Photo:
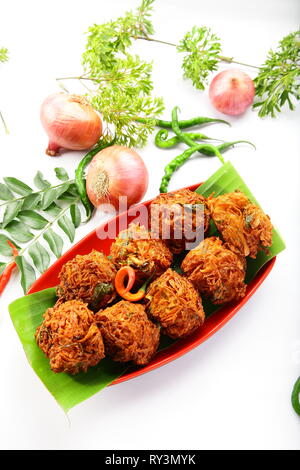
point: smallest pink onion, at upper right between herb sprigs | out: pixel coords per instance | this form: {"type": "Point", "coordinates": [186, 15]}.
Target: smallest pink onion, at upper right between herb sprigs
{"type": "Point", "coordinates": [232, 92]}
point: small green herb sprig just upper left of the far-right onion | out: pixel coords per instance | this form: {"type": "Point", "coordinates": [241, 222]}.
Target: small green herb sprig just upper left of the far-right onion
{"type": "Point", "coordinates": [201, 50]}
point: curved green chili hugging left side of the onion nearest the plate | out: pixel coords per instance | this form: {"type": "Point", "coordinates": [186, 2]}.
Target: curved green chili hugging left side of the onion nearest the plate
{"type": "Point", "coordinates": [80, 180]}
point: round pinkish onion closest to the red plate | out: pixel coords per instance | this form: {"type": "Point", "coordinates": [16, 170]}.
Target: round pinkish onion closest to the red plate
{"type": "Point", "coordinates": [116, 171]}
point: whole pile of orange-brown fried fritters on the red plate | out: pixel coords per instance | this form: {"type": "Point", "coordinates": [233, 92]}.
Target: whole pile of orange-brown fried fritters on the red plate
{"type": "Point", "coordinates": [90, 322]}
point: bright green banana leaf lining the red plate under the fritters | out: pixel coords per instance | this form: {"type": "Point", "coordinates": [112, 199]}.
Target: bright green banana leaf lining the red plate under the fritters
{"type": "Point", "coordinates": [26, 314]}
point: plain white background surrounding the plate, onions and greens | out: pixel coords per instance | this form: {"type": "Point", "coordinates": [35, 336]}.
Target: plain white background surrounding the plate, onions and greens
{"type": "Point", "coordinates": [232, 392]}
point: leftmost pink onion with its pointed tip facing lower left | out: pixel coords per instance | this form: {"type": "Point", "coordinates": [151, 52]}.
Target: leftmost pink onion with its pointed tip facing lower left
{"type": "Point", "coordinates": [70, 123]}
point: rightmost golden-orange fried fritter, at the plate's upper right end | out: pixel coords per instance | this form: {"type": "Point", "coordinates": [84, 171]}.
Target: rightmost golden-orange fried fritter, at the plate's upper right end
{"type": "Point", "coordinates": [245, 228]}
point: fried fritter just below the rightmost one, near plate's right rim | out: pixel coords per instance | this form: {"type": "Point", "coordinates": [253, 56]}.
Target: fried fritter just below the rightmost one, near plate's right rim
{"type": "Point", "coordinates": [216, 271]}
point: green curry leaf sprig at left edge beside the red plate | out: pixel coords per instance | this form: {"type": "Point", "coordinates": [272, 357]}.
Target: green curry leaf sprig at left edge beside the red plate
{"type": "Point", "coordinates": [29, 216]}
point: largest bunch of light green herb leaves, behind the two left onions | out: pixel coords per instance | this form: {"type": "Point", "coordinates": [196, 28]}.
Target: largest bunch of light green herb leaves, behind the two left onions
{"type": "Point", "coordinates": [122, 83]}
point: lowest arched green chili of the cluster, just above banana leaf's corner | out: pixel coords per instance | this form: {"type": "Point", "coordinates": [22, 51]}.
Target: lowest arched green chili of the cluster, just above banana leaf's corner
{"type": "Point", "coordinates": [175, 164]}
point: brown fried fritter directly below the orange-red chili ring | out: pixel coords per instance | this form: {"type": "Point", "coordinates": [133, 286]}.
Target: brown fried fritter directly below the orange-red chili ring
{"type": "Point", "coordinates": [127, 332]}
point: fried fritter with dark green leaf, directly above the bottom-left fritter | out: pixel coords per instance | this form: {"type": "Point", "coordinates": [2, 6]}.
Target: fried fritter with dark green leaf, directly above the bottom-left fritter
{"type": "Point", "coordinates": [89, 278]}
